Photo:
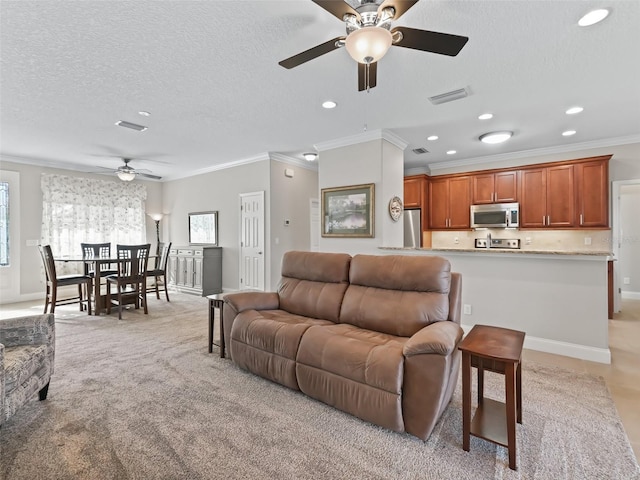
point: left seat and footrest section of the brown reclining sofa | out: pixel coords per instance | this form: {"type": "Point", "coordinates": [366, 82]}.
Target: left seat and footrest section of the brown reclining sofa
{"type": "Point", "coordinates": [266, 343]}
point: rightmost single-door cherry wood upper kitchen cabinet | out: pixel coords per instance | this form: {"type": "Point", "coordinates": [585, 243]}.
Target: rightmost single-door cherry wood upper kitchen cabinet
{"type": "Point", "coordinates": [592, 193]}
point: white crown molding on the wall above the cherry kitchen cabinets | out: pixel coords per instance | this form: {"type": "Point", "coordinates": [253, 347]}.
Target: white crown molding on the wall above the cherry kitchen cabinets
{"type": "Point", "coordinates": [557, 149]}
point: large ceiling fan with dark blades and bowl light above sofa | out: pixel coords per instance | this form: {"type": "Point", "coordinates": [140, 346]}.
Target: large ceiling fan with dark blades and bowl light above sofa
{"type": "Point", "coordinates": [369, 36]}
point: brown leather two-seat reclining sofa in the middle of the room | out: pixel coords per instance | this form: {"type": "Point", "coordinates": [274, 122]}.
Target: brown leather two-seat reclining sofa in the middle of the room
{"type": "Point", "coordinates": [374, 336]}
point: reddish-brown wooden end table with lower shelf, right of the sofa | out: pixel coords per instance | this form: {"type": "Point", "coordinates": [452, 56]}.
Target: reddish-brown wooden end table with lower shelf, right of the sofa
{"type": "Point", "coordinates": [497, 350]}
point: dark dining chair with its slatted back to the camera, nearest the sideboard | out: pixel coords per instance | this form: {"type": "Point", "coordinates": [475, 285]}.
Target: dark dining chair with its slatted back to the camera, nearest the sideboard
{"type": "Point", "coordinates": [130, 279]}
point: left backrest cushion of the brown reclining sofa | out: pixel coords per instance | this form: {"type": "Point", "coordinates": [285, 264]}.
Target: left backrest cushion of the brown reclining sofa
{"type": "Point", "coordinates": [313, 284]}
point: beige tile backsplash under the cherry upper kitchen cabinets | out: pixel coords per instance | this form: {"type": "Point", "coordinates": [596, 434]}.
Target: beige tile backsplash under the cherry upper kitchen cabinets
{"type": "Point", "coordinates": [543, 240]}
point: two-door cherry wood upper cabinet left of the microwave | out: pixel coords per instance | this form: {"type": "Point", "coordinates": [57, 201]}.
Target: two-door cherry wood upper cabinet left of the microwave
{"type": "Point", "coordinates": [449, 203]}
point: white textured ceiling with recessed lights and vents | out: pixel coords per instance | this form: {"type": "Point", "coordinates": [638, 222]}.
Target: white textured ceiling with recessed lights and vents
{"type": "Point", "coordinates": [208, 72]}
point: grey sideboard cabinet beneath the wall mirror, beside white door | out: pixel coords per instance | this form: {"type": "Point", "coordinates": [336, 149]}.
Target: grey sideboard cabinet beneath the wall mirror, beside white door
{"type": "Point", "coordinates": [196, 269]}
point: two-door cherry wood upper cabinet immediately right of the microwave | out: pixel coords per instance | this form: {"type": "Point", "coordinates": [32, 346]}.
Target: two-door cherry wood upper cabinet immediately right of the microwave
{"type": "Point", "coordinates": [547, 197]}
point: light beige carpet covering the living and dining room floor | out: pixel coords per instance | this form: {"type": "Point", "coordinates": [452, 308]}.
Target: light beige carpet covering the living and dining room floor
{"type": "Point", "coordinates": [142, 398]}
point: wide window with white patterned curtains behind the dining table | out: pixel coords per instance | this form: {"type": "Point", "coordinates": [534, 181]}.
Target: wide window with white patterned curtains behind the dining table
{"type": "Point", "coordinates": [76, 210]}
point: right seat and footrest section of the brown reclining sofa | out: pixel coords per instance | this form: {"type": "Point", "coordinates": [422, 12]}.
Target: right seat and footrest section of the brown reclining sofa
{"type": "Point", "coordinates": [356, 370]}
